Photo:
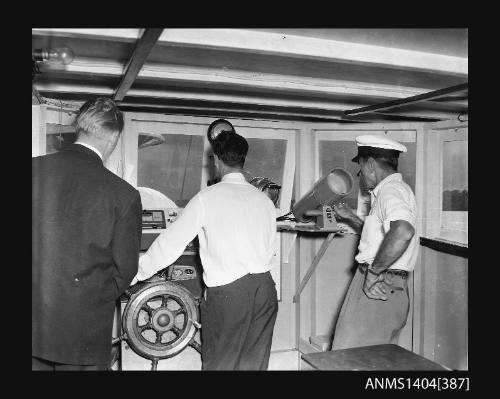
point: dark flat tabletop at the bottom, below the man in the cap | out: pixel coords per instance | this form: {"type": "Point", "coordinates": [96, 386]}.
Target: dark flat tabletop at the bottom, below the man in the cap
{"type": "Point", "coordinates": [370, 358]}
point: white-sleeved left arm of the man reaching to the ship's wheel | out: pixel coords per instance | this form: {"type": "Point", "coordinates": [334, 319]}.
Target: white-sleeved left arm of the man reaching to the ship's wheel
{"type": "Point", "coordinates": [170, 244]}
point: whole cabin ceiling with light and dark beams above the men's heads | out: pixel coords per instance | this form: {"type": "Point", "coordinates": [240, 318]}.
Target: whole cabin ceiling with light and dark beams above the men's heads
{"type": "Point", "coordinates": [317, 75]}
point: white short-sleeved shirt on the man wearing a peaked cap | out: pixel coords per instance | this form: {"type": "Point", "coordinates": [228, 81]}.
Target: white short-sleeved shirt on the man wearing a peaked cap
{"type": "Point", "coordinates": [392, 199]}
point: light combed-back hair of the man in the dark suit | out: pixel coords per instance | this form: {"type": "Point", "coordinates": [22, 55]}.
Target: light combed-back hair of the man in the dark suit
{"type": "Point", "coordinates": [99, 117]}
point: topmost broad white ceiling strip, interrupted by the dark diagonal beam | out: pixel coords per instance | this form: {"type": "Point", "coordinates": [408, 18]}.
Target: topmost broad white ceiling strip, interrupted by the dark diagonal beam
{"type": "Point", "coordinates": [276, 44]}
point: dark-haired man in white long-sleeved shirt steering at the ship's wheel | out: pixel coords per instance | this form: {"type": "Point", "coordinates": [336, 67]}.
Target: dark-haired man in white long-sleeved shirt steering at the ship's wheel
{"type": "Point", "coordinates": [236, 227]}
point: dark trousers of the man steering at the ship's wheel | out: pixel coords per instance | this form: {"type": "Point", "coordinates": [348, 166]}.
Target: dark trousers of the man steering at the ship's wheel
{"type": "Point", "coordinates": [237, 323]}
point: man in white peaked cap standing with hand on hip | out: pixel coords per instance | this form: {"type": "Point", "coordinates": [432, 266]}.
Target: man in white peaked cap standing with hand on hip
{"type": "Point", "coordinates": [376, 306]}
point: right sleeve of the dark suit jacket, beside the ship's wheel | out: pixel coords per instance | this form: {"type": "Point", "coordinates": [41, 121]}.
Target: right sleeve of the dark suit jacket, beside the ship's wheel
{"type": "Point", "coordinates": [126, 244]}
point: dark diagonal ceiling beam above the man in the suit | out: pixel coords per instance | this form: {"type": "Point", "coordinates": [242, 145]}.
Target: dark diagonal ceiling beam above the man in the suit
{"type": "Point", "coordinates": [144, 46]}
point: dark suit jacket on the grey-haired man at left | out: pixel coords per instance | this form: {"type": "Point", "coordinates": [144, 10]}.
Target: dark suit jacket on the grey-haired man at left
{"type": "Point", "coordinates": [86, 232]}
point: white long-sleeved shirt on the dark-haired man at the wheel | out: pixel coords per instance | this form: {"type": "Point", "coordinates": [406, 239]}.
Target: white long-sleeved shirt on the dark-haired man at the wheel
{"type": "Point", "coordinates": [236, 227]}
